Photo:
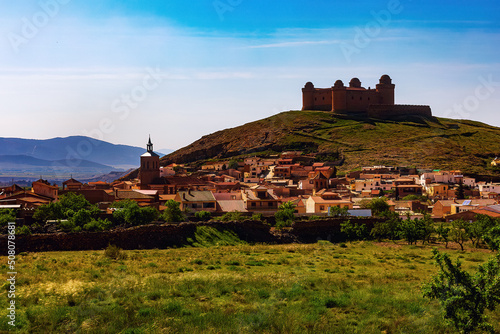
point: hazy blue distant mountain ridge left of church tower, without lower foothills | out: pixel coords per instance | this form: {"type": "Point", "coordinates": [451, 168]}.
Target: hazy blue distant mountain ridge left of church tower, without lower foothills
{"type": "Point", "coordinates": [72, 151]}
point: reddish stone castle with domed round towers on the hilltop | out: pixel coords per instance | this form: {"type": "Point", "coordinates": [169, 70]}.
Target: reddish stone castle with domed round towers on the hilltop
{"type": "Point", "coordinates": [375, 103]}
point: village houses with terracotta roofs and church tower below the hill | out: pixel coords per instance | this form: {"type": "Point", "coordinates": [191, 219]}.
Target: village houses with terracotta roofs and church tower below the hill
{"type": "Point", "coordinates": [260, 185]}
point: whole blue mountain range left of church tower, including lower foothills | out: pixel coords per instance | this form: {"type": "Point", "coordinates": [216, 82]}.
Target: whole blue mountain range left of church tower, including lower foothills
{"type": "Point", "coordinates": [59, 158]}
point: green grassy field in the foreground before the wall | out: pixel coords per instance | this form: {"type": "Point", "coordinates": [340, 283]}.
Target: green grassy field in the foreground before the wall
{"type": "Point", "coordinates": [361, 287]}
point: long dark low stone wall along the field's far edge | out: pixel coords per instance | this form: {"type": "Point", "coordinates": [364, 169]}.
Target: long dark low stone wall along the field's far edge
{"type": "Point", "coordinates": [176, 235]}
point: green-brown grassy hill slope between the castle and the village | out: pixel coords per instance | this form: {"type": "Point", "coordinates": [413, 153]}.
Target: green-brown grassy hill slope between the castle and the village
{"type": "Point", "coordinates": [411, 141]}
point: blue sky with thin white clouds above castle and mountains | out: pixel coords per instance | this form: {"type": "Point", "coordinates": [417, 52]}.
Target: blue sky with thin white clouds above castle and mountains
{"type": "Point", "coordinates": [121, 70]}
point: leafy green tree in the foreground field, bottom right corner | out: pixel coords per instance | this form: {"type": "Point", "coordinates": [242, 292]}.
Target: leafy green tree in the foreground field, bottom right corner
{"type": "Point", "coordinates": [463, 296]}
